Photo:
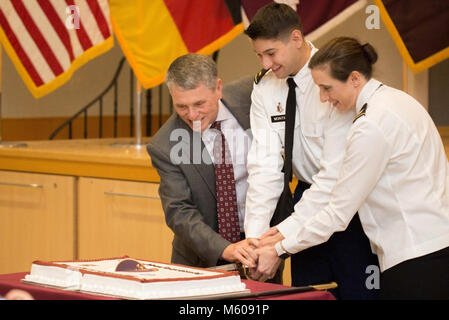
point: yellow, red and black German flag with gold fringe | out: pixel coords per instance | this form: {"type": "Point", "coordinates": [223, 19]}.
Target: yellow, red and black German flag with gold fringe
{"type": "Point", "coordinates": [154, 33]}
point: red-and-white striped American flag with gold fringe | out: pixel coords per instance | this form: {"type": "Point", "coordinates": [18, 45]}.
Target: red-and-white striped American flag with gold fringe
{"type": "Point", "coordinates": [47, 40]}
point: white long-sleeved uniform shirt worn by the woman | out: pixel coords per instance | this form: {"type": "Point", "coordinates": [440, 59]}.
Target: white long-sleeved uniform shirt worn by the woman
{"type": "Point", "coordinates": [395, 173]}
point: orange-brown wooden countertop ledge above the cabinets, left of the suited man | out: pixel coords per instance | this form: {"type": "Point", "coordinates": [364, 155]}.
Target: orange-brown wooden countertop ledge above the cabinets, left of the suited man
{"type": "Point", "coordinates": [82, 158]}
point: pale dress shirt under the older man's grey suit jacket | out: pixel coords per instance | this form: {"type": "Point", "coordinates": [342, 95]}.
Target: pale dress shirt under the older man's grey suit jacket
{"type": "Point", "coordinates": [239, 143]}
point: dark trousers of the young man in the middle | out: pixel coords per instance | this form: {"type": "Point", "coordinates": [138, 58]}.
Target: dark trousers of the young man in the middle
{"type": "Point", "coordinates": [344, 258]}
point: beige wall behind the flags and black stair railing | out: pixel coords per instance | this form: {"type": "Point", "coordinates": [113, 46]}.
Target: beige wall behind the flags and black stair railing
{"type": "Point", "coordinates": [236, 59]}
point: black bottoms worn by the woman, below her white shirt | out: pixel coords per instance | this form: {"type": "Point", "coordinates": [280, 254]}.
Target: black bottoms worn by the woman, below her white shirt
{"type": "Point", "coordinates": [425, 277]}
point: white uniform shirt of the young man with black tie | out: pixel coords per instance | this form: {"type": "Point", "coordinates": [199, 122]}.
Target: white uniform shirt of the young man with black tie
{"type": "Point", "coordinates": [318, 150]}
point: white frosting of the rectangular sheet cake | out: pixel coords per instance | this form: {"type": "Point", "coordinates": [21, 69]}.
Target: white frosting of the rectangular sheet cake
{"type": "Point", "coordinates": [189, 286]}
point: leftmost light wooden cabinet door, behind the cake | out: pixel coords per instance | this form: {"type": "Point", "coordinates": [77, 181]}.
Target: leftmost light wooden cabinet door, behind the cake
{"type": "Point", "coordinates": [37, 219]}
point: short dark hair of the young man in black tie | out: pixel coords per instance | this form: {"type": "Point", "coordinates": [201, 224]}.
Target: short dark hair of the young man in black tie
{"type": "Point", "coordinates": [273, 21]}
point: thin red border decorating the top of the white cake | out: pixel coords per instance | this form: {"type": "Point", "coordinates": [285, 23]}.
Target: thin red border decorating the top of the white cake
{"type": "Point", "coordinates": [112, 275]}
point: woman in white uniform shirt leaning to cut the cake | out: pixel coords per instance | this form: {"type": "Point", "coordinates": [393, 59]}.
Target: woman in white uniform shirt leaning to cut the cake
{"type": "Point", "coordinates": [395, 174]}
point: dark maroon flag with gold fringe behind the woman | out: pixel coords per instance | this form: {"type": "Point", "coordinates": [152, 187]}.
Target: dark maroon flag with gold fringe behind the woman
{"type": "Point", "coordinates": [419, 28]}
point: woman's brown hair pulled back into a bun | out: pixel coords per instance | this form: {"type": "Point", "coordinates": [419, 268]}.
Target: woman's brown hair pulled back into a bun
{"type": "Point", "coordinates": [344, 55]}
